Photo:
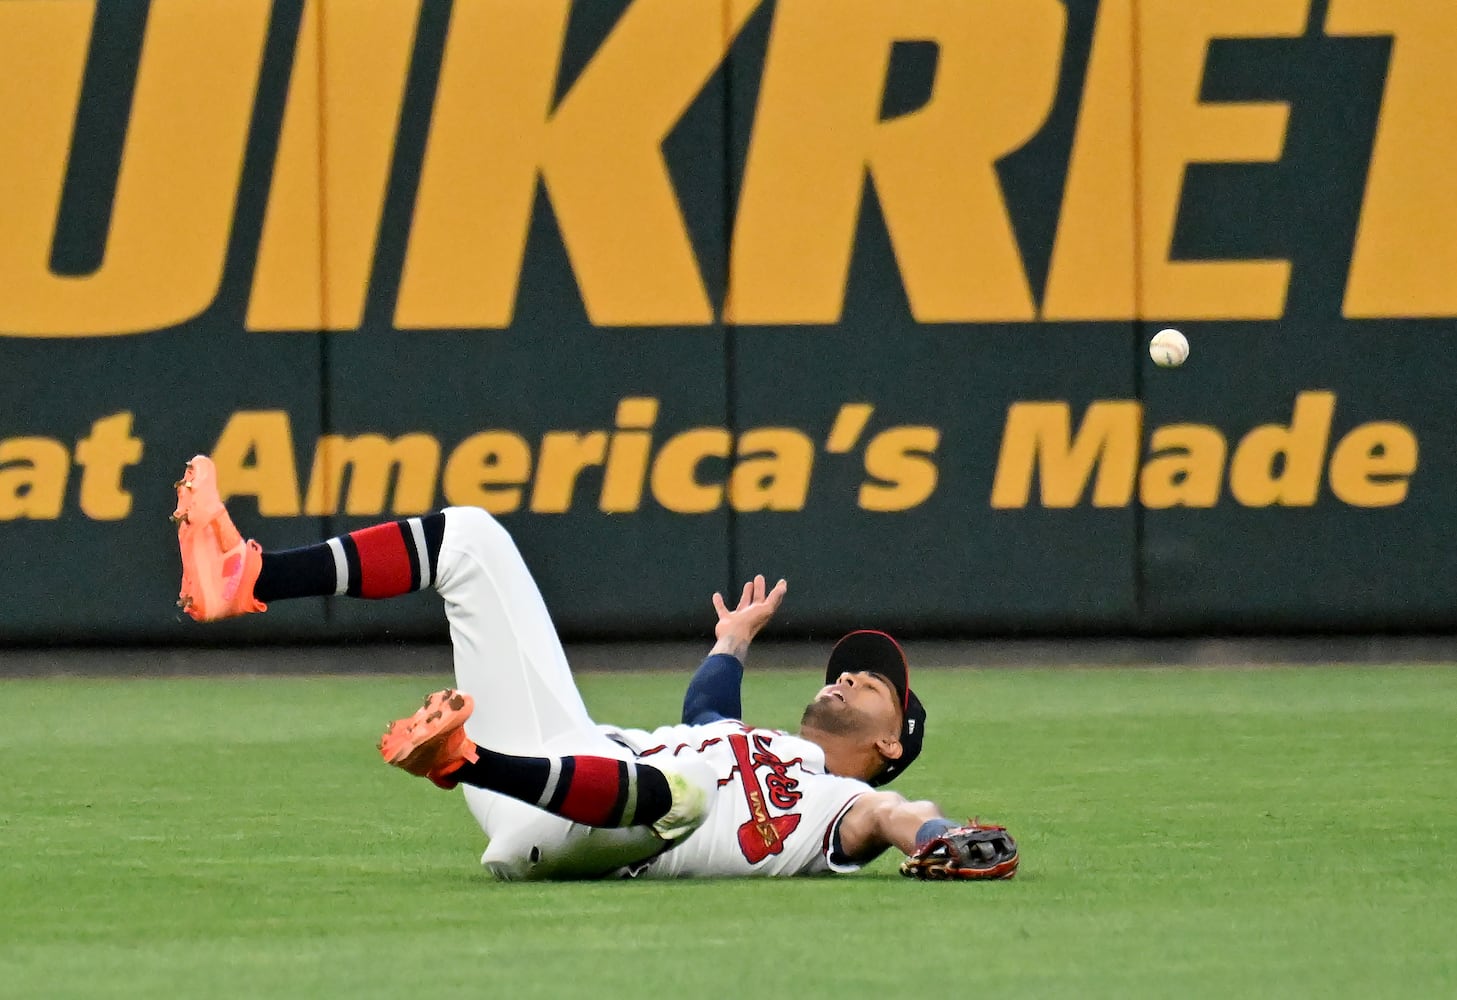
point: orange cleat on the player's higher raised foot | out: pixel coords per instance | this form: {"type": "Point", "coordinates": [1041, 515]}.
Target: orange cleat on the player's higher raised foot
{"type": "Point", "coordinates": [219, 569]}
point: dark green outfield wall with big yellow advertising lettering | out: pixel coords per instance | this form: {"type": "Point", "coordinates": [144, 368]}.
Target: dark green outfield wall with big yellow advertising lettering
{"type": "Point", "coordinates": [852, 292]}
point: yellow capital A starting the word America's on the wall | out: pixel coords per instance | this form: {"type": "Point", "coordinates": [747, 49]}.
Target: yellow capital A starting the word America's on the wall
{"type": "Point", "coordinates": [254, 458]}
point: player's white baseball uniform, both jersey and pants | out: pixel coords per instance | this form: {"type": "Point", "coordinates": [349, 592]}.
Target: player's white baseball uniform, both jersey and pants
{"type": "Point", "coordinates": [773, 808]}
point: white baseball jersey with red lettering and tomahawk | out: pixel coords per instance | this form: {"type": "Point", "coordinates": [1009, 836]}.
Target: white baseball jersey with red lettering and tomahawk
{"type": "Point", "coordinates": [773, 813]}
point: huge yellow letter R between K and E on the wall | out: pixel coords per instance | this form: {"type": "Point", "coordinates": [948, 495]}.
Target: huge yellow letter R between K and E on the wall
{"type": "Point", "coordinates": [818, 132]}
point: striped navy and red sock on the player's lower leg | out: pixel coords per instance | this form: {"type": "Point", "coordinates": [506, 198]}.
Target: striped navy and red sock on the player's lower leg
{"type": "Point", "coordinates": [591, 791]}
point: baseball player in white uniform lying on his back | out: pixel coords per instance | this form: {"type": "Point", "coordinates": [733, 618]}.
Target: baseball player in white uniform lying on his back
{"type": "Point", "coordinates": [560, 797]}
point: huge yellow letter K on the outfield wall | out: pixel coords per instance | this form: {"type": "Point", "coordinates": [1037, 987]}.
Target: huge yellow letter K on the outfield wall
{"type": "Point", "coordinates": [600, 154]}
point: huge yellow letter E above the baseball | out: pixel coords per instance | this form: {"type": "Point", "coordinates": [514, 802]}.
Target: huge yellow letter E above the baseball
{"type": "Point", "coordinates": [1093, 260]}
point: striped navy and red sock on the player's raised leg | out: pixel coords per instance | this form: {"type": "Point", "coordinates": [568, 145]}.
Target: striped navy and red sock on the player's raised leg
{"type": "Point", "coordinates": [381, 562]}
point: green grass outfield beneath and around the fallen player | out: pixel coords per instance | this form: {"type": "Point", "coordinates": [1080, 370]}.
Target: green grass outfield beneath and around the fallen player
{"type": "Point", "coordinates": [1185, 835]}
